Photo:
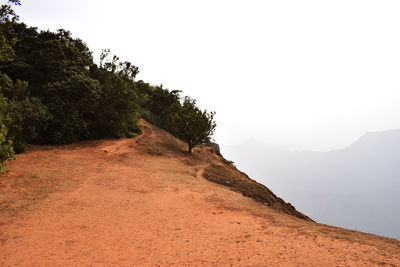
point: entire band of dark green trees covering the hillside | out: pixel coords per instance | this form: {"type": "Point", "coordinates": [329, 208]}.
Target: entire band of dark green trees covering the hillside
{"type": "Point", "coordinates": [52, 92]}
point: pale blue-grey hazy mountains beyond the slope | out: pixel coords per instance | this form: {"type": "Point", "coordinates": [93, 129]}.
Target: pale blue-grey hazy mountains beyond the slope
{"type": "Point", "coordinates": [357, 187]}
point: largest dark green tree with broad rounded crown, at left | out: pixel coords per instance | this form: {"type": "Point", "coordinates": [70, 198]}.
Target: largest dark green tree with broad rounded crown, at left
{"type": "Point", "coordinates": [57, 67]}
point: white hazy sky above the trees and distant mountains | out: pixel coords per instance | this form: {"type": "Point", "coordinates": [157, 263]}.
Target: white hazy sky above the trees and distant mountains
{"type": "Point", "coordinates": [314, 73]}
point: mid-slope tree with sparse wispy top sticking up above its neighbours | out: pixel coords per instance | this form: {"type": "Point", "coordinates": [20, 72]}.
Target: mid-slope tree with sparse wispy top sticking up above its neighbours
{"type": "Point", "coordinates": [118, 110]}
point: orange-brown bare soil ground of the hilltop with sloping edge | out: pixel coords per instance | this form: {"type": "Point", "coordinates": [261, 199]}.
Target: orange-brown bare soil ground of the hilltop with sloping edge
{"type": "Point", "coordinates": [145, 202]}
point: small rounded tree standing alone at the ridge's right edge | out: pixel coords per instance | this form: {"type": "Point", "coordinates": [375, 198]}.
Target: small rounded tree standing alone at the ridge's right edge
{"type": "Point", "coordinates": [193, 125]}
